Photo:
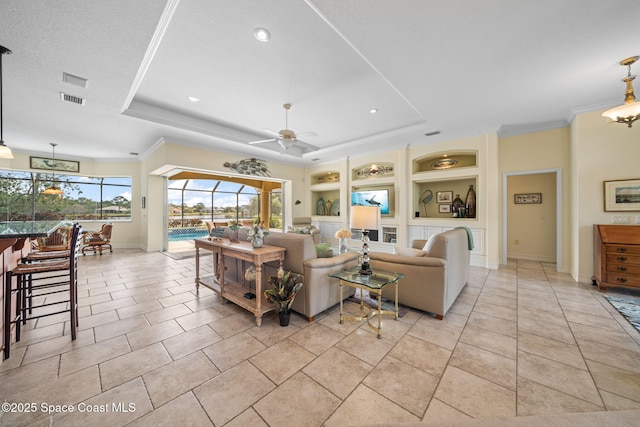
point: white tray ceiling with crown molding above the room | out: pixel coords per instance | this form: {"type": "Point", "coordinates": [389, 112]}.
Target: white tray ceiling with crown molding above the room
{"type": "Point", "coordinates": [461, 67]}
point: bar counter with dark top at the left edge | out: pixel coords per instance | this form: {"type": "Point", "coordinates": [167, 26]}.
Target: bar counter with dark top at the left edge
{"type": "Point", "coordinates": [13, 238]}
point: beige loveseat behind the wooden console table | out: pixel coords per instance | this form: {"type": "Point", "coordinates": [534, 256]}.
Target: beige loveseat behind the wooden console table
{"type": "Point", "coordinates": [319, 291]}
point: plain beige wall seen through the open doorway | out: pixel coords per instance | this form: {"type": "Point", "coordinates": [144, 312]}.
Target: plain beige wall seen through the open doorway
{"type": "Point", "coordinates": [531, 228]}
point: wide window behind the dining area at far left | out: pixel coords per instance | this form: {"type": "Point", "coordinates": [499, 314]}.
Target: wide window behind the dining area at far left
{"type": "Point", "coordinates": [84, 198]}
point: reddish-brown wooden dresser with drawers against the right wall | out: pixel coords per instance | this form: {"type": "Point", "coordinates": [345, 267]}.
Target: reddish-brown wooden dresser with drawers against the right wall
{"type": "Point", "coordinates": [616, 256]}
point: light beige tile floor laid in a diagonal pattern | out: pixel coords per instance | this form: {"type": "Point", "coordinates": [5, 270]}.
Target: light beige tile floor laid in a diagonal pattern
{"type": "Point", "coordinates": [523, 340]}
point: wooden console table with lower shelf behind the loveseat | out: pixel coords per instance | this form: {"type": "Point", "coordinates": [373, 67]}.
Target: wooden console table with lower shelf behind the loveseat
{"type": "Point", "coordinates": [233, 291]}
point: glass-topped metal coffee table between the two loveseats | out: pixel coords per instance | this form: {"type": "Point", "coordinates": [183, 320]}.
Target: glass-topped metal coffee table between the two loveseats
{"type": "Point", "coordinates": [374, 283]}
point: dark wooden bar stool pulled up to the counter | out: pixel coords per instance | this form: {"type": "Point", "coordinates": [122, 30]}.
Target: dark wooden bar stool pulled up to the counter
{"type": "Point", "coordinates": [42, 278]}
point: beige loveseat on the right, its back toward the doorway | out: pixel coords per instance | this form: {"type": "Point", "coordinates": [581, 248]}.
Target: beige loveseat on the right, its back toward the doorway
{"type": "Point", "coordinates": [435, 270]}
